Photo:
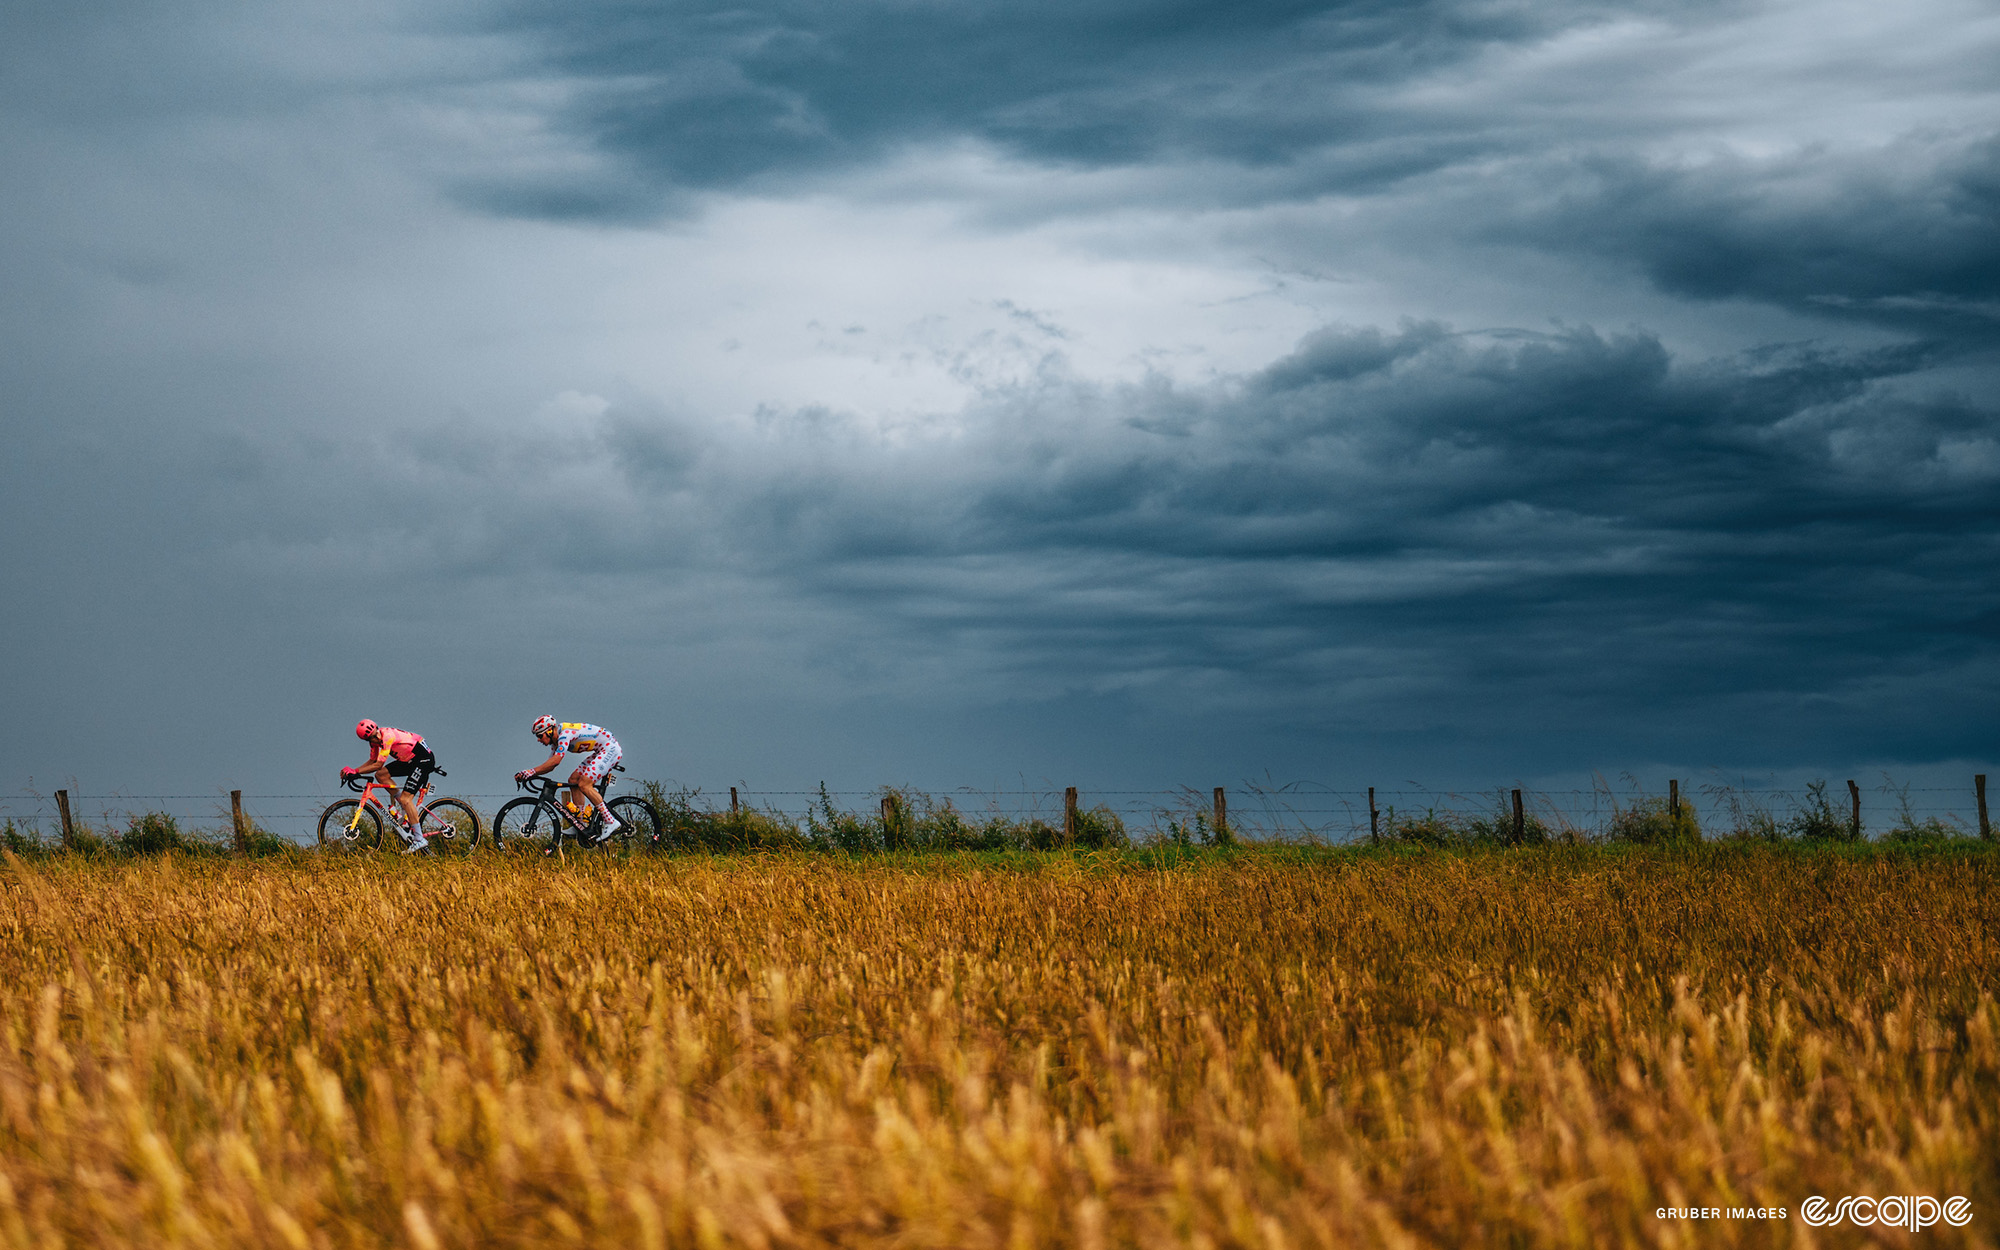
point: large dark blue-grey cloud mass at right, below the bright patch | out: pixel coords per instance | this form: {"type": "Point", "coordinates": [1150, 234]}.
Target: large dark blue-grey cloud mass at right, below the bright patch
{"type": "Point", "coordinates": [1571, 511]}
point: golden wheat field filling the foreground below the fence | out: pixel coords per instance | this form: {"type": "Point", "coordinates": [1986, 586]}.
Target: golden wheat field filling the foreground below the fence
{"type": "Point", "coordinates": [1535, 1049]}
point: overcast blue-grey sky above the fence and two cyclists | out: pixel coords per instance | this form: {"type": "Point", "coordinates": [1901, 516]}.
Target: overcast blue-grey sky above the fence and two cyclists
{"type": "Point", "coordinates": [1107, 393]}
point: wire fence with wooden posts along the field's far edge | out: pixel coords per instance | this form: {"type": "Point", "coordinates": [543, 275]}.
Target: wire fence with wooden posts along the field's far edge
{"type": "Point", "coordinates": [1255, 811]}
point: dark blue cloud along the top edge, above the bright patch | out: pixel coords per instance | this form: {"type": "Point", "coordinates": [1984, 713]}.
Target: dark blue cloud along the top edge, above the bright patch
{"type": "Point", "coordinates": [721, 95]}
